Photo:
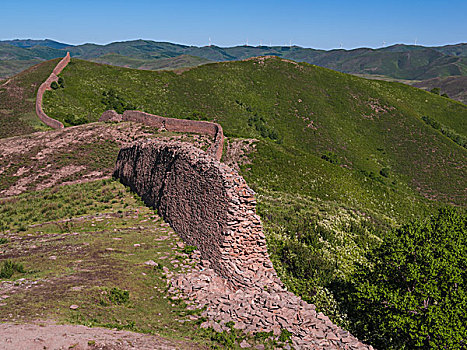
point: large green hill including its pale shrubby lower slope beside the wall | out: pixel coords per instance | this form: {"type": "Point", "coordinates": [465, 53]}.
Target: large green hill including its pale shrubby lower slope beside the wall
{"type": "Point", "coordinates": [338, 160]}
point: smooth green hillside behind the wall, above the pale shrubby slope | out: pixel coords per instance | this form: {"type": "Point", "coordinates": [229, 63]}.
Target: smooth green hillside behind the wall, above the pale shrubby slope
{"type": "Point", "coordinates": [340, 130]}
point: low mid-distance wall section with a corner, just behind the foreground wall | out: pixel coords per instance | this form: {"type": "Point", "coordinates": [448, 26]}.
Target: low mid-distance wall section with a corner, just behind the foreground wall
{"type": "Point", "coordinates": [175, 125]}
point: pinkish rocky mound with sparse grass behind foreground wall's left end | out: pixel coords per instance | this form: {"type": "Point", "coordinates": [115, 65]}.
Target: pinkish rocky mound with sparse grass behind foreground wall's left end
{"type": "Point", "coordinates": [72, 155]}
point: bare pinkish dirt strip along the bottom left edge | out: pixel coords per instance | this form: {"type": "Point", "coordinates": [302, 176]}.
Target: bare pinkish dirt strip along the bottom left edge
{"type": "Point", "coordinates": [52, 336]}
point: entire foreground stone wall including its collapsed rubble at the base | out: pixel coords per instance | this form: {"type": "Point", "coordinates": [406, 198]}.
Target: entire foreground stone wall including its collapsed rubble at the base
{"type": "Point", "coordinates": [211, 207]}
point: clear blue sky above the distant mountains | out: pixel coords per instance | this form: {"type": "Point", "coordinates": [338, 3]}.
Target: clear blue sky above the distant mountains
{"type": "Point", "coordinates": [325, 24]}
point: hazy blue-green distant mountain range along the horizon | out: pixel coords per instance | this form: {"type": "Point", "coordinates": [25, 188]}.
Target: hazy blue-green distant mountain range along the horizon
{"type": "Point", "coordinates": [403, 62]}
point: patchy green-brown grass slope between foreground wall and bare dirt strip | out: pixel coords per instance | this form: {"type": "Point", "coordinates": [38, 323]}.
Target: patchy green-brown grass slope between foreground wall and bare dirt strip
{"type": "Point", "coordinates": [90, 251]}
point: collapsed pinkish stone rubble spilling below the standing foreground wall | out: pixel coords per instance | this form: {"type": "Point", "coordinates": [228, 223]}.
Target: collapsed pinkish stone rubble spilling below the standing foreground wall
{"type": "Point", "coordinates": [258, 310]}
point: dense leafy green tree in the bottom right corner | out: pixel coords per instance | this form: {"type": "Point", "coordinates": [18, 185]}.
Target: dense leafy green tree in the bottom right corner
{"type": "Point", "coordinates": [415, 297]}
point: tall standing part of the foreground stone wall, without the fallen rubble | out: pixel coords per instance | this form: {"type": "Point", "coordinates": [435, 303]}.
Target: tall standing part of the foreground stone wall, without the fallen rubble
{"type": "Point", "coordinates": [208, 204]}
